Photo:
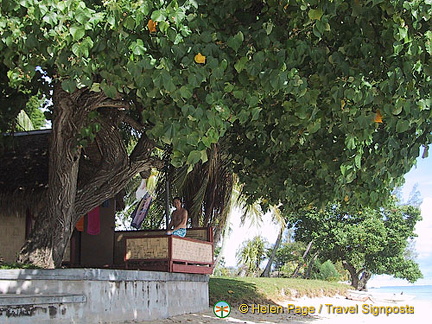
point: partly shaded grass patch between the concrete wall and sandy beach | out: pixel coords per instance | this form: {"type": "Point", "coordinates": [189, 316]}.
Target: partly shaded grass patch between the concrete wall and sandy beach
{"type": "Point", "coordinates": [269, 290]}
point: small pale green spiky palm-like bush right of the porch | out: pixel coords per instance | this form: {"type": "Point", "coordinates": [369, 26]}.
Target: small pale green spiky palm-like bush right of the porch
{"type": "Point", "coordinates": [250, 255]}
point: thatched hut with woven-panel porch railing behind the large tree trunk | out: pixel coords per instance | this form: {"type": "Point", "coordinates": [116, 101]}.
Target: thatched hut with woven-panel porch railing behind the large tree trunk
{"type": "Point", "coordinates": [23, 189]}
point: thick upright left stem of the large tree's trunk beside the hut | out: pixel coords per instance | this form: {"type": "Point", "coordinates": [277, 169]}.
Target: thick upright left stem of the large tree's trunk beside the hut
{"type": "Point", "coordinates": [47, 242]}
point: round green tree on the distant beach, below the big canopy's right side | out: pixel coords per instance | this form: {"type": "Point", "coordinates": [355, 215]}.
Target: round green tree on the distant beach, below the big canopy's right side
{"type": "Point", "coordinates": [369, 241]}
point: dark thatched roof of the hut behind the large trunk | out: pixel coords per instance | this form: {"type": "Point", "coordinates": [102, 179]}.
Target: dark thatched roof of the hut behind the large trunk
{"type": "Point", "coordinates": [24, 170]}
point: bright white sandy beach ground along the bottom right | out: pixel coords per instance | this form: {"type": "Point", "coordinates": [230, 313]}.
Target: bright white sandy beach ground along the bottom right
{"type": "Point", "coordinates": [330, 313]}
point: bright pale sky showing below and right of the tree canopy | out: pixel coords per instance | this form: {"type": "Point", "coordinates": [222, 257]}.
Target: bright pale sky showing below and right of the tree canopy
{"type": "Point", "coordinates": [421, 174]}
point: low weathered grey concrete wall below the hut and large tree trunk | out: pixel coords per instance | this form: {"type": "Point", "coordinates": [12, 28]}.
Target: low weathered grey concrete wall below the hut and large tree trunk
{"type": "Point", "coordinates": [98, 295]}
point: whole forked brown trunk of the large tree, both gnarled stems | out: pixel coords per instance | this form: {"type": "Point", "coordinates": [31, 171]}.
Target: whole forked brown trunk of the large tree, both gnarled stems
{"type": "Point", "coordinates": [68, 198]}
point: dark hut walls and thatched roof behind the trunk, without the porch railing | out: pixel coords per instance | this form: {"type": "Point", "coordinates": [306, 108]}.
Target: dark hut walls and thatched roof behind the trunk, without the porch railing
{"type": "Point", "coordinates": [23, 189]}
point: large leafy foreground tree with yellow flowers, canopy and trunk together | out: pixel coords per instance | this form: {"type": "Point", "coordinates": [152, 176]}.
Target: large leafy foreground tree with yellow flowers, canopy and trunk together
{"type": "Point", "coordinates": [317, 99]}
